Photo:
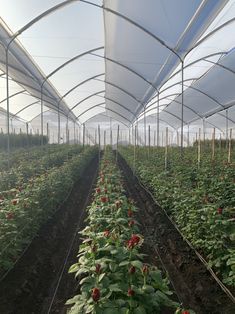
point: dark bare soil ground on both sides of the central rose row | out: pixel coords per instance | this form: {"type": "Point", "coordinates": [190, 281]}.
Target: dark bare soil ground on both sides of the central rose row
{"type": "Point", "coordinates": [31, 286]}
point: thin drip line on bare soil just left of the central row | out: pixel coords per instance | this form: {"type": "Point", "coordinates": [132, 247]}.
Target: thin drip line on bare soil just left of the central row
{"type": "Point", "coordinates": [63, 266]}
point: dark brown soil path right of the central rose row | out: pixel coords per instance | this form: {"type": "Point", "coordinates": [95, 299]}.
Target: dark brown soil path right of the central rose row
{"type": "Point", "coordinates": [193, 284]}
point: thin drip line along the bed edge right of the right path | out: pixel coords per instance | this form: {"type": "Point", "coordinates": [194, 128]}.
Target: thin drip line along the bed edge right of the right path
{"type": "Point", "coordinates": [219, 282]}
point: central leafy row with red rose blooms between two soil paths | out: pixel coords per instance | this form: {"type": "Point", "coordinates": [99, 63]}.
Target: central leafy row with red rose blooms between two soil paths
{"type": "Point", "coordinates": [113, 274]}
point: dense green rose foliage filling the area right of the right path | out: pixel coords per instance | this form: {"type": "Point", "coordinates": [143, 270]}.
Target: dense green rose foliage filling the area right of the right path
{"type": "Point", "coordinates": [201, 200]}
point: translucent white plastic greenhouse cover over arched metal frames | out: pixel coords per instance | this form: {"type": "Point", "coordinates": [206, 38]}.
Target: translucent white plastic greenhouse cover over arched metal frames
{"type": "Point", "coordinates": [95, 61]}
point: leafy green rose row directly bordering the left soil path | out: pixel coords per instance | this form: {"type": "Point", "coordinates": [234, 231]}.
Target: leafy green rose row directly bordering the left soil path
{"type": "Point", "coordinates": [24, 210]}
